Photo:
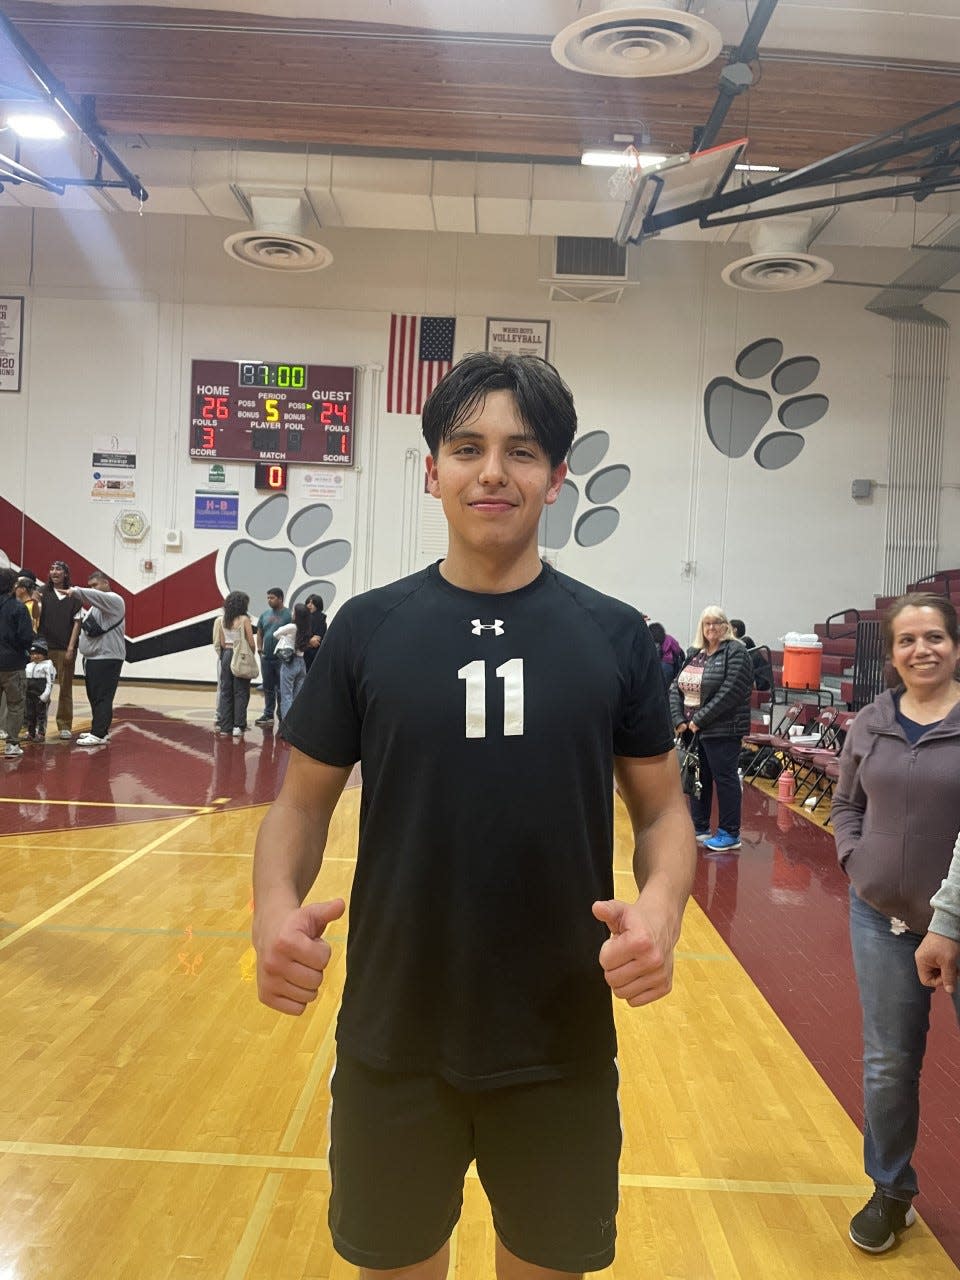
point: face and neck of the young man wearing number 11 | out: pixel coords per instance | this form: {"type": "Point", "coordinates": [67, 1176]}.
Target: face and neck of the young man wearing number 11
{"type": "Point", "coordinates": [493, 481]}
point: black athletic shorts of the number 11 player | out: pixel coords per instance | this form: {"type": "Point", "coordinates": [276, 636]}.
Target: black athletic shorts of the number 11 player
{"type": "Point", "coordinates": [547, 1156]}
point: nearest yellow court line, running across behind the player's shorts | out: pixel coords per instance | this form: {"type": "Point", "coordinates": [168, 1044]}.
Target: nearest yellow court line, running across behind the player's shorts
{"type": "Point", "coordinates": [285, 1164]}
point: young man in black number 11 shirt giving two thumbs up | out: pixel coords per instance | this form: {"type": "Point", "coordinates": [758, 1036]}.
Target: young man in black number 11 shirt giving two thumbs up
{"type": "Point", "coordinates": [490, 701]}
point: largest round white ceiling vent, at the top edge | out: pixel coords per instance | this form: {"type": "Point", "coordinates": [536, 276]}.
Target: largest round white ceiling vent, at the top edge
{"type": "Point", "coordinates": [638, 40]}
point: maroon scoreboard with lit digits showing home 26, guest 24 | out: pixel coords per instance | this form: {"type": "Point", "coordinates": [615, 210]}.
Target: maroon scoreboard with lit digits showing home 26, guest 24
{"type": "Point", "coordinates": [266, 412]}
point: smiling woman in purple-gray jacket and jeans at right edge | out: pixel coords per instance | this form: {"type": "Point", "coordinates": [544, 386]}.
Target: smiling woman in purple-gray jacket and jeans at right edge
{"type": "Point", "coordinates": [897, 813]}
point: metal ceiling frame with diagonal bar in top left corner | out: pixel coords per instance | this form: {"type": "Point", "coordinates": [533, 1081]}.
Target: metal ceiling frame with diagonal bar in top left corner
{"type": "Point", "coordinates": [81, 116]}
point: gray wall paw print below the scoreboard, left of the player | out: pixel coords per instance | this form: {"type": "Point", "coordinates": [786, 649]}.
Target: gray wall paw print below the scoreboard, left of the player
{"type": "Point", "coordinates": [255, 566]}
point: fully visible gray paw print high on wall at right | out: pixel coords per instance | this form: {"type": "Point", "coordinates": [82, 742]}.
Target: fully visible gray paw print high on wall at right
{"type": "Point", "coordinates": [735, 414]}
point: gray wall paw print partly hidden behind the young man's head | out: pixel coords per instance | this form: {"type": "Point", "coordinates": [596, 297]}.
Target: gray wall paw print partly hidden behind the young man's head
{"type": "Point", "coordinates": [602, 486]}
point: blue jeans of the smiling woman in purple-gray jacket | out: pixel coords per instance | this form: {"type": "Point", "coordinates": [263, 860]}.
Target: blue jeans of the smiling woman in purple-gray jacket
{"type": "Point", "coordinates": [897, 1014]}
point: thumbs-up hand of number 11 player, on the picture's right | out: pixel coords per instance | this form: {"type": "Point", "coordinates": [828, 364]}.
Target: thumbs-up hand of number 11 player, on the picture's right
{"type": "Point", "coordinates": [638, 958]}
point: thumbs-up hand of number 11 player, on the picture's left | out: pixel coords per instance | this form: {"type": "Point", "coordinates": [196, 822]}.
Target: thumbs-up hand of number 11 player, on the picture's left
{"type": "Point", "coordinates": [294, 954]}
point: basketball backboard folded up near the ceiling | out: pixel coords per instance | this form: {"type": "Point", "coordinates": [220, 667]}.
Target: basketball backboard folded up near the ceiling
{"type": "Point", "coordinates": [671, 184]}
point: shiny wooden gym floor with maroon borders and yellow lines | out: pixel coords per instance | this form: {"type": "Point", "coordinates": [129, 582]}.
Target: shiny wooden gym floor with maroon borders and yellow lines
{"type": "Point", "coordinates": [159, 1123]}
